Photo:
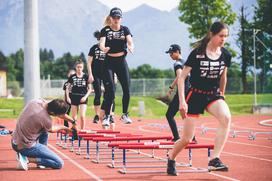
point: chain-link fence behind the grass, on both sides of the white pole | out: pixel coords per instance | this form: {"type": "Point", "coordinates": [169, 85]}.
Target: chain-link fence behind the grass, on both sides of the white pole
{"type": "Point", "coordinates": [141, 87]}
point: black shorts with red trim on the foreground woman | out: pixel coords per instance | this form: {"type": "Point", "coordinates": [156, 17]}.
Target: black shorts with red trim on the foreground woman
{"type": "Point", "coordinates": [198, 100]}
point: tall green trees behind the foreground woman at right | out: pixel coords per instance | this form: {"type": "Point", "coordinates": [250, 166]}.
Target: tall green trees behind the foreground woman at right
{"type": "Point", "coordinates": [200, 14]}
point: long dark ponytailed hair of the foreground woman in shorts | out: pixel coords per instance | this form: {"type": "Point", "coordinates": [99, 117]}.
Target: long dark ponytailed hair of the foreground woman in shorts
{"type": "Point", "coordinates": [215, 28]}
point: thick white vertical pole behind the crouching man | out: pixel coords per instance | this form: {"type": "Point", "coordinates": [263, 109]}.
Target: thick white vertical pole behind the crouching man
{"type": "Point", "coordinates": [31, 51]}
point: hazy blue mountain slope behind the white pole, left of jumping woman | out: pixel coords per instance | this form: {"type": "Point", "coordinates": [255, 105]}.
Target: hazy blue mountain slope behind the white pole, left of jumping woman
{"type": "Point", "coordinates": [64, 25]}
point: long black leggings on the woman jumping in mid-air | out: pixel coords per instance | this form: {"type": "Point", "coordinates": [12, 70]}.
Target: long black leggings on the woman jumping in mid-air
{"type": "Point", "coordinates": [119, 66]}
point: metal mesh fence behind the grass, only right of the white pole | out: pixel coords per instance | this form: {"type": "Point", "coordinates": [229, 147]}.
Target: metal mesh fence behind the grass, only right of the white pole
{"type": "Point", "coordinates": [149, 87]}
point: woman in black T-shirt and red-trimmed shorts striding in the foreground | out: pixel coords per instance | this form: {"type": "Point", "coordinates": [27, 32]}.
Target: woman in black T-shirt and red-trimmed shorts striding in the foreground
{"type": "Point", "coordinates": [207, 64]}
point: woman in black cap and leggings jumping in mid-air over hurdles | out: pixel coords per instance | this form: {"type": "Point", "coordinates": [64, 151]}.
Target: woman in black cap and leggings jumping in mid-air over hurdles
{"type": "Point", "coordinates": [114, 41]}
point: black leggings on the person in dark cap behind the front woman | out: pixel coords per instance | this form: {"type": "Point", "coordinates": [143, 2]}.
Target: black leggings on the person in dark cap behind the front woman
{"type": "Point", "coordinates": [170, 114]}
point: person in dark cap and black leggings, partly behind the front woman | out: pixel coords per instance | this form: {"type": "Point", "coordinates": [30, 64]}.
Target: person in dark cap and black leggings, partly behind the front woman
{"type": "Point", "coordinates": [175, 53]}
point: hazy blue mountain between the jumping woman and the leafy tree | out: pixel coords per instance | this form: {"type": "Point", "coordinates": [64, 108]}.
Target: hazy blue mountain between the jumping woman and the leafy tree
{"type": "Point", "coordinates": [153, 32]}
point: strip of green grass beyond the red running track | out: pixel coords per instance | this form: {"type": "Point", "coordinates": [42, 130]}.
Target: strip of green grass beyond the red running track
{"type": "Point", "coordinates": [238, 103]}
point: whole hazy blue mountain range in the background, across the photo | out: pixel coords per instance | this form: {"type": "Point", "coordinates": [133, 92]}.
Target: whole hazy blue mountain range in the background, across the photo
{"type": "Point", "coordinates": [67, 25]}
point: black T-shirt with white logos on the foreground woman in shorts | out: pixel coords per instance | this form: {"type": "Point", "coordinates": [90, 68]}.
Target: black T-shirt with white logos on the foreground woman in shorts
{"type": "Point", "coordinates": [206, 73]}
